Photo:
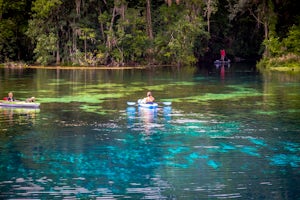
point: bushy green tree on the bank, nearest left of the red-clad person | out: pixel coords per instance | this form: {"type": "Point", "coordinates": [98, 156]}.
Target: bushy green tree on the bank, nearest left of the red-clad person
{"type": "Point", "coordinates": [175, 41]}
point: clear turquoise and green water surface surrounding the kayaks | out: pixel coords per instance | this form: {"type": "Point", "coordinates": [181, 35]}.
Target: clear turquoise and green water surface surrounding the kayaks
{"type": "Point", "coordinates": [229, 133]}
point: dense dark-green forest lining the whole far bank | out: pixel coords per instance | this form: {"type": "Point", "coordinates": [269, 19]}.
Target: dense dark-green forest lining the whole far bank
{"type": "Point", "coordinates": [141, 32]}
